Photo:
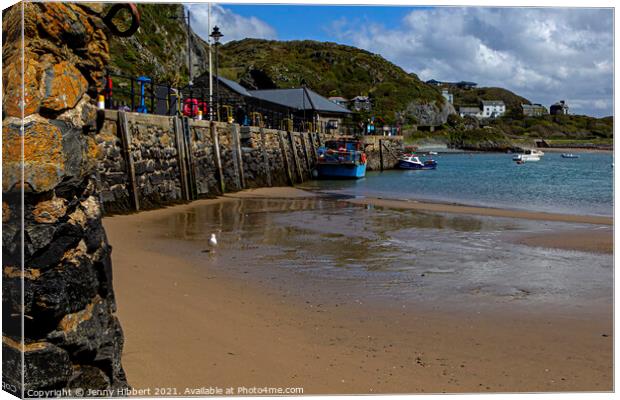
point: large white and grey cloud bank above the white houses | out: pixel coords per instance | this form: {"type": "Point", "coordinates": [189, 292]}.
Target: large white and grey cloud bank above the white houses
{"type": "Point", "coordinates": [543, 54]}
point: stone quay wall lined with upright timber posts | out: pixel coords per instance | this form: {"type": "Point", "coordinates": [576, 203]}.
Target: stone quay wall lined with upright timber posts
{"type": "Point", "coordinates": [152, 160]}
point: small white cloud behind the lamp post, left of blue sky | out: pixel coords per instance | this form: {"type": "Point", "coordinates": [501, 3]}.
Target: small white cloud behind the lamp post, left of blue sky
{"type": "Point", "coordinates": [233, 26]}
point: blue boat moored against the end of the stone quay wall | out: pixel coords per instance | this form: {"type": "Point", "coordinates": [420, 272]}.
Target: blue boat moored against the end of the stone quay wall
{"type": "Point", "coordinates": [343, 158]}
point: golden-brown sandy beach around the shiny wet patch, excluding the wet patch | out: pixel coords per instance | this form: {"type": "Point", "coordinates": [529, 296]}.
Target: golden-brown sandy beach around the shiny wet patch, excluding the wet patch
{"type": "Point", "coordinates": [192, 322]}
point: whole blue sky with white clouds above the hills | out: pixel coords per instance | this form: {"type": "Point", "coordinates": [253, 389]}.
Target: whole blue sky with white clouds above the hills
{"type": "Point", "coordinates": [543, 54]}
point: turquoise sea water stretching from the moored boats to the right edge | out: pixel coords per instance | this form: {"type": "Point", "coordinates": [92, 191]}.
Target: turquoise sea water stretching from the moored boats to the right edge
{"type": "Point", "coordinates": [554, 184]}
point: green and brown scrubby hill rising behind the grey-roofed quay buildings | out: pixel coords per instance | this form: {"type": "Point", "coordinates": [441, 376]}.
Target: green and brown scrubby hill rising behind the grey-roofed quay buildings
{"type": "Point", "coordinates": [330, 69]}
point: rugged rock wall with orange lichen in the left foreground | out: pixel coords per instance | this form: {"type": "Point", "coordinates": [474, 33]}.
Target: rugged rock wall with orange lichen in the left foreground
{"type": "Point", "coordinates": [72, 338]}
